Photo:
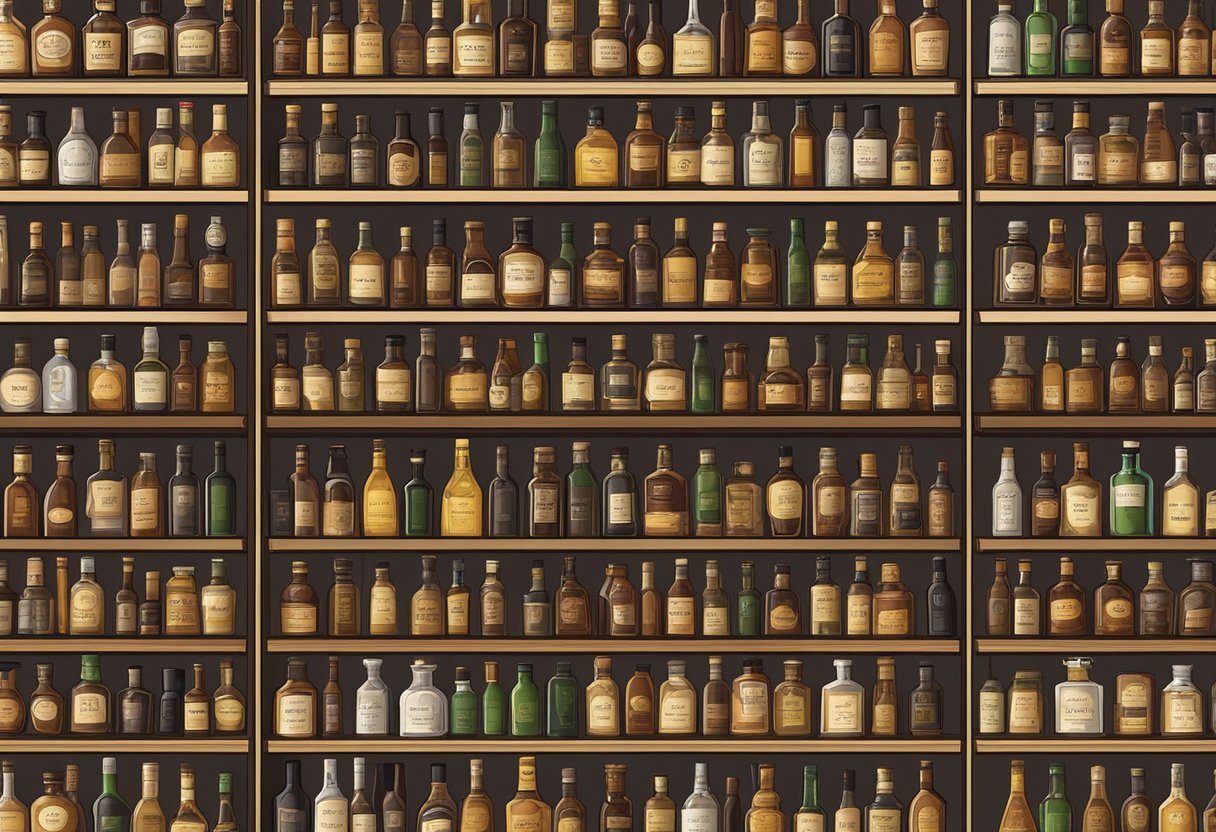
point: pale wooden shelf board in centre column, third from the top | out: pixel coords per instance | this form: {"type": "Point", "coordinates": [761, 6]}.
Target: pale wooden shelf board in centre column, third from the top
{"type": "Point", "coordinates": [616, 317]}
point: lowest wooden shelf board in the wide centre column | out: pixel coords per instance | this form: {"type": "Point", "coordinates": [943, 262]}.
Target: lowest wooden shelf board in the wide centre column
{"type": "Point", "coordinates": [595, 746]}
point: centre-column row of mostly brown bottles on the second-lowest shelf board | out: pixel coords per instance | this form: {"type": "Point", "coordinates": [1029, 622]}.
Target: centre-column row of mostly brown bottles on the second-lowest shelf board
{"type": "Point", "coordinates": [620, 610]}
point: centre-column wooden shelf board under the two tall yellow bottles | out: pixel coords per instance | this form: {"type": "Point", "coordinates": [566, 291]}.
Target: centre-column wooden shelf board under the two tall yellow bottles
{"type": "Point", "coordinates": [639, 546]}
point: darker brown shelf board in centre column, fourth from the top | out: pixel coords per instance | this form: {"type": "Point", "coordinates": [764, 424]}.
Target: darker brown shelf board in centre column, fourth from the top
{"type": "Point", "coordinates": [649, 424]}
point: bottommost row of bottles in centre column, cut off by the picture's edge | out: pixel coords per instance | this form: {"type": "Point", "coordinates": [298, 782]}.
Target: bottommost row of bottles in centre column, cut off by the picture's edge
{"type": "Point", "coordinates": [384, 807]}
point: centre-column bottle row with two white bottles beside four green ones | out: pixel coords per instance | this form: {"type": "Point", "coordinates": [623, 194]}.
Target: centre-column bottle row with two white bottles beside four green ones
{"type": "Point", "coordinates": [750, 706]}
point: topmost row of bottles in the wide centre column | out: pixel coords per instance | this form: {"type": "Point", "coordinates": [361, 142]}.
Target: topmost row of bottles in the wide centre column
{"type": "Point", "coordinates": [622, 44]}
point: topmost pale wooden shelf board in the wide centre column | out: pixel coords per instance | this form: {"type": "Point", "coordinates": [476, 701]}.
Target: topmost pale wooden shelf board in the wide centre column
{"type": "Point", "coordinates": [599, 87]}
